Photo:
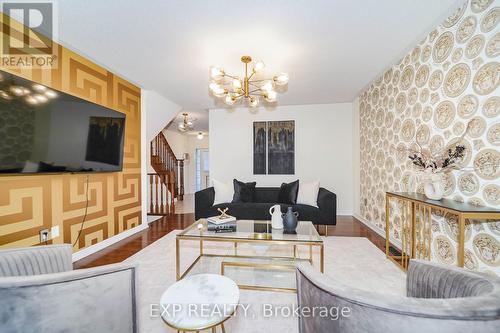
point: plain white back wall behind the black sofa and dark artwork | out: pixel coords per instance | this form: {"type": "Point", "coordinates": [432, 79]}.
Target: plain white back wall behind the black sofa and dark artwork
{"type": "Point", "coordinates": [323, 146]}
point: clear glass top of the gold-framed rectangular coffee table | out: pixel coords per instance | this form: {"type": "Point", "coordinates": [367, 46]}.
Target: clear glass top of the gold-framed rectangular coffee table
{"type": "Point", "coordinates": [256, 230]}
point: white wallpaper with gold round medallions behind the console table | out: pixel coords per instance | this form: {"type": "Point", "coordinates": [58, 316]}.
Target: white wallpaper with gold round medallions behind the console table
{"type": "Point", "coordinates": [448, 79]}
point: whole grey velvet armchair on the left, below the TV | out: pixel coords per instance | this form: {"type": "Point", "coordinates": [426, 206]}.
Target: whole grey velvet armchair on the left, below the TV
{"type": "Point", "coordinates": [40, 292]}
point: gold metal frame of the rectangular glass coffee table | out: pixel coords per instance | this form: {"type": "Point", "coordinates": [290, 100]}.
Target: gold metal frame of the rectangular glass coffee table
{"type": "Point", "coordinates": [258, 238]}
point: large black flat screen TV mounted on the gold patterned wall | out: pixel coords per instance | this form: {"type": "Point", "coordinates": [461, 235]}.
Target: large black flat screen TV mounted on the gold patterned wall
{"type": "Point", "coordinates": [47, 131]}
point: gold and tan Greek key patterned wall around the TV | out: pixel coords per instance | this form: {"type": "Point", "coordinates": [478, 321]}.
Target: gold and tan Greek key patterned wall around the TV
{"type": "Point", "coordinates": [30, 203]}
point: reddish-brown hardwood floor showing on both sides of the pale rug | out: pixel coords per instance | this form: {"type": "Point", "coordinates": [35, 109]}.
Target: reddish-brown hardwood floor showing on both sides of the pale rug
{"type": "Point", "coordinates": [346, 226]}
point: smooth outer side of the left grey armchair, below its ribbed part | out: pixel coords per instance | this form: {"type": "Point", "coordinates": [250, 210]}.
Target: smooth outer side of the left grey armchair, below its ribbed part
{"type": "Point", "coordinates": [99, 299]}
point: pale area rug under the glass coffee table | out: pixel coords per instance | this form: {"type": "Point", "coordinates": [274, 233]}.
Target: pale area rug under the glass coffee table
{"type": "Point", "coordinates": [354, 261]}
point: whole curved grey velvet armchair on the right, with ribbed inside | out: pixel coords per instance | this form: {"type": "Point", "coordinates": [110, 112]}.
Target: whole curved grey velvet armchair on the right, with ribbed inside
{"type": "Point", "coordinates": [439, 299]}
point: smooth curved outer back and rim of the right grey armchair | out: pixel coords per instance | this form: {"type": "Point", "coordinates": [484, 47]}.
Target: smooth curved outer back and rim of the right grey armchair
{"type": "Point", "coordinates": [374, 311]}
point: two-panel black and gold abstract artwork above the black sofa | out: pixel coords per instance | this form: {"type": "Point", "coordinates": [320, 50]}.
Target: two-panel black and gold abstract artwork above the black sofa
{"type": "Point", "coordinates": [274, 147]}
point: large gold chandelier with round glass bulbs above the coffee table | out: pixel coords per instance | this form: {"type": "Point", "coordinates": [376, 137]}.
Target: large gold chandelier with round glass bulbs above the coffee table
{"type": "Point", "coordinates": [233, 89]}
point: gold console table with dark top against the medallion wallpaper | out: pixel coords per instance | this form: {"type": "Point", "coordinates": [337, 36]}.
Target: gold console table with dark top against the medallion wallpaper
{"type": "Point", "coordinates": [416, 224]}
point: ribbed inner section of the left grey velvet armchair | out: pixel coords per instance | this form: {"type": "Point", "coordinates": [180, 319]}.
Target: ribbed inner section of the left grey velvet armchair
{"type": "Point", "coordinates": [36, 260]}
